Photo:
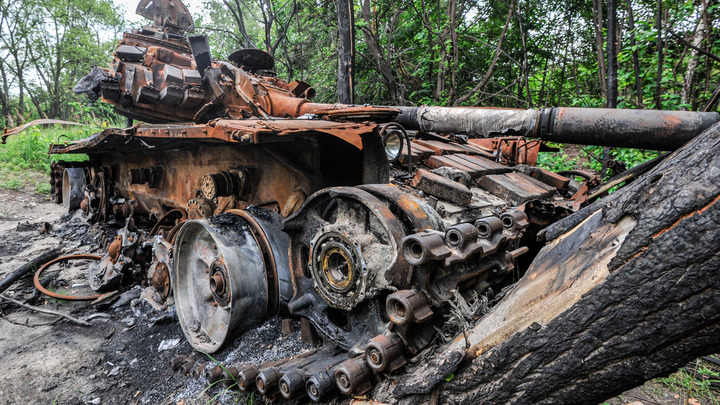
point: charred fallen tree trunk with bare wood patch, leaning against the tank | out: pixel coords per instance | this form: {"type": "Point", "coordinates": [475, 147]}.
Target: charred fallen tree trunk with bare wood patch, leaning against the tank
{"type": "Point", "coordinates": [629, 291]}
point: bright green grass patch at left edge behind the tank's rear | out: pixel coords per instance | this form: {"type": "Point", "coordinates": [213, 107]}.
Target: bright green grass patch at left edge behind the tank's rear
{"type": "Point", "coordinates": [25, 162]}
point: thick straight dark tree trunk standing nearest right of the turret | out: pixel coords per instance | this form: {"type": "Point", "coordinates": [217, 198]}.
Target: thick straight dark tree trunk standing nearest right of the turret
{"type": "Point", "coordinates": [346, 51]}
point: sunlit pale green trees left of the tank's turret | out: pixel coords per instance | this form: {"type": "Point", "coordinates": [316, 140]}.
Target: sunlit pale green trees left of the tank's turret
{"type": "Point", "coordinates": [46, 46]}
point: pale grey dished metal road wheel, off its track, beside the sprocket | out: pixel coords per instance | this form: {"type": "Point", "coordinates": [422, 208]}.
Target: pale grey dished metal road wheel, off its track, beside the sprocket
{"type": "Point", "coordinates": [225, 281]}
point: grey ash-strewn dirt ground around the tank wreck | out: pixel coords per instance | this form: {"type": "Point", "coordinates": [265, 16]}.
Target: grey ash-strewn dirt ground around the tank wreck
{"type": "Point", "coordinates": [124, 357]}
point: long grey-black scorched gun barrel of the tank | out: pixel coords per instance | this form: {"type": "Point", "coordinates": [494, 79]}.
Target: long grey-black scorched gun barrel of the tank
{"type": "Point", "coordinates": [642, 129]}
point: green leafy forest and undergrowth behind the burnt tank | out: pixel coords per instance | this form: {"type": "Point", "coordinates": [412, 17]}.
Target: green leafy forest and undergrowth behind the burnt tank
{"type": "Point", "coordinates": [490, 53]}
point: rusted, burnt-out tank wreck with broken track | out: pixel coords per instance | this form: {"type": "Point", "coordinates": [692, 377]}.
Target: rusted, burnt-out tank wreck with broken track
{"type": "Point", "coordinates": [384, 229]}
